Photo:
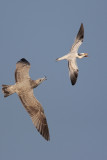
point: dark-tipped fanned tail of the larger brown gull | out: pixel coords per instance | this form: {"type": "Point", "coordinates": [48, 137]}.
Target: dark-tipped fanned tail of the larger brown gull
{"type": "Point", "coordinates": [8, 90]}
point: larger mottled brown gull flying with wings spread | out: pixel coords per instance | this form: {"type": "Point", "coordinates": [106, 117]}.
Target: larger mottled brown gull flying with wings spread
{"type": "Point", "coordinates": [24, 88]}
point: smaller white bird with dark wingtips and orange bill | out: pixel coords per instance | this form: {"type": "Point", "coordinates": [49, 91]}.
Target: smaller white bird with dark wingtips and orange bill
{"type": "Point", "coordinates": [73, 54]}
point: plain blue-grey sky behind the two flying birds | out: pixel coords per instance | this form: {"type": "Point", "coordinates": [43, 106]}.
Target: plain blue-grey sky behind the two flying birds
{"type": "Point", "coordinates": [42, 31]}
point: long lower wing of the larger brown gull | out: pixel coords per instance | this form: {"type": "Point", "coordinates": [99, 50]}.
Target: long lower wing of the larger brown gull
{"type": "Point", "coordinates": [36, 112]}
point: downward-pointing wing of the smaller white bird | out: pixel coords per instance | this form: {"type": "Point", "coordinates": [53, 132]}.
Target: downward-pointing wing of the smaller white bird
{"type": "Point", "coordinates": [73, 71]}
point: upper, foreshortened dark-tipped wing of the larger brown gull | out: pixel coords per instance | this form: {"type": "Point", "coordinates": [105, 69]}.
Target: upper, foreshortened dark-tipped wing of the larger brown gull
{"type": "Point", "coordinates": [22, 70]}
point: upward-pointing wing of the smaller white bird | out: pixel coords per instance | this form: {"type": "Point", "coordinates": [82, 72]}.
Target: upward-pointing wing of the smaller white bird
{"type": "Point", "coordinates": [78, 41]}
